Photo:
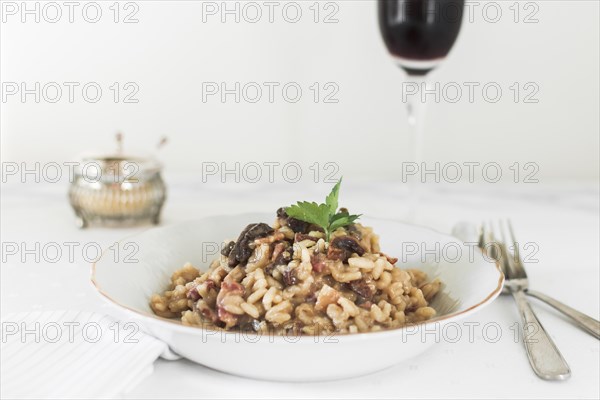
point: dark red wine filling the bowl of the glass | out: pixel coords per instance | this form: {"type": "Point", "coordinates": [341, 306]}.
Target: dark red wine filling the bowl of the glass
{"type": "Point", "coordinates": [420, 33]}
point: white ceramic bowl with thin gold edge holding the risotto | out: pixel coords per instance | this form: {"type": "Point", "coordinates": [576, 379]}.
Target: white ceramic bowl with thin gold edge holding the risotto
{"type": "Point", "coordinates": [469, 284]}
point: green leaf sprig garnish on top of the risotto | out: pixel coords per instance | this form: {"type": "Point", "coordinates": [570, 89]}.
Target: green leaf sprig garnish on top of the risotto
{"type": "Point", "coordinates": [324, 215]}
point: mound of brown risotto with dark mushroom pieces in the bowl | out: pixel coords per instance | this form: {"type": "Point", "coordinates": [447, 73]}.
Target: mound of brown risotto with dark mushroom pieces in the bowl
{"type": "Point", "coordinates": [295, 278]}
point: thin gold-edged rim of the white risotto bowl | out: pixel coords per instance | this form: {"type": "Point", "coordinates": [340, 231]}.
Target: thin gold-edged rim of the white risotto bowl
{"type": "Point", "coordinates": [177, 325]}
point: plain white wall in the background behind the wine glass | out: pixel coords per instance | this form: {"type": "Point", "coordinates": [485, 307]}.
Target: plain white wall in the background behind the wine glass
{"type": "Point", "coordinates": [171, 51]}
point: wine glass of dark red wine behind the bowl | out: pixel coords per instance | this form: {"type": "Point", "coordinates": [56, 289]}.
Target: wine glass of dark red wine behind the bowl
{"type": "Point", "coordinates": [419, 34]}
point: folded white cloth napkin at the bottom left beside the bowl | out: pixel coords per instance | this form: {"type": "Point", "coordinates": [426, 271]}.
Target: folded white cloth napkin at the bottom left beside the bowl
{"type": "Point", "coordinates": [72, 354]}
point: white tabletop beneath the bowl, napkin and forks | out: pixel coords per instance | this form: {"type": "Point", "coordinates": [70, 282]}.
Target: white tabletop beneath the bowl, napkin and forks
{"type": "Point", "coordinates": [562, 219]}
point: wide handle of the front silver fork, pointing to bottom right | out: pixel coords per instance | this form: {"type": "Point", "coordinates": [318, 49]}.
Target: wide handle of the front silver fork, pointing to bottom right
{"type": "Point", "coordinates": [544, 357]}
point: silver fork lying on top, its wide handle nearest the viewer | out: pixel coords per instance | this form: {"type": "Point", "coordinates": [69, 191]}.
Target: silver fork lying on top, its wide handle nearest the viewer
{"type": "Point", "coordinates": [544, 356]}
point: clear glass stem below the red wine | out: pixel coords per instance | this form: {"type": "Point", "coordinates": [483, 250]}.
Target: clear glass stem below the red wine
{"type": "Point", "coordinates": [415, 107]}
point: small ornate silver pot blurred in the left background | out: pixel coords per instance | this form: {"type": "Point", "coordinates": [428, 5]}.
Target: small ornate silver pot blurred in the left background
{"type": "Point", "coordinates": [117, 191]}
